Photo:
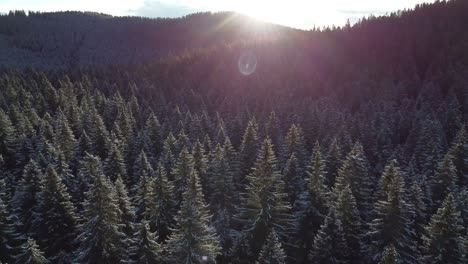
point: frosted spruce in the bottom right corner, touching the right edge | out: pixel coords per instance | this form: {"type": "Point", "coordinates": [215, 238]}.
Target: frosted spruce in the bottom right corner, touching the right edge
{"type": "Point", "coordinates": [443, 241]}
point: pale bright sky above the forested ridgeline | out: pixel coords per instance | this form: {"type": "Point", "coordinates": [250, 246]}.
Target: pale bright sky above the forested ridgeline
{"type": "Point", "coordinates": [303, 14]}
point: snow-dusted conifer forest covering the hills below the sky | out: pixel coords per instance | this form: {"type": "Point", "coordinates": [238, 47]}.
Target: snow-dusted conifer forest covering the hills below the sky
{"type": "Point", "coordinates": [344, 145]}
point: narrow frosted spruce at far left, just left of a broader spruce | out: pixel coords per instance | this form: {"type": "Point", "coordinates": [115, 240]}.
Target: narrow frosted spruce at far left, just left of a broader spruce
{"type": "Point", "coordinates": [24, 198]}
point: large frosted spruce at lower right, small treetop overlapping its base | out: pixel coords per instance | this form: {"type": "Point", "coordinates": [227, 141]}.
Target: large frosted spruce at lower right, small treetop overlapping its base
{"type": "Point", "coordinates": [392, 223]}
